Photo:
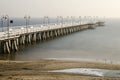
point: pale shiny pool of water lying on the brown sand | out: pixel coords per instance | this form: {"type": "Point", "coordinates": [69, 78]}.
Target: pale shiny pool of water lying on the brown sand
{"type": "Point", "coordinates": [90, 71]}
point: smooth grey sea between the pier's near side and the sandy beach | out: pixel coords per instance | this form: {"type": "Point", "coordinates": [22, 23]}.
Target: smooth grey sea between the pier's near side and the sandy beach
{"type": "Point", "coordinates": [100, 44]}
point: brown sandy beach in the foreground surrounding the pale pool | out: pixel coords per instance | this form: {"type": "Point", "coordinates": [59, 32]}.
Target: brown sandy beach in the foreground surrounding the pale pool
{"type": "Point", "coordinates": [29, 70]}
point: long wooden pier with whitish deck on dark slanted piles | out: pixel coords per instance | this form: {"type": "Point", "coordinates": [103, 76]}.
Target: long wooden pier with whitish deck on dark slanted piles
{"type": "Point", "coordinates": [23, 36]}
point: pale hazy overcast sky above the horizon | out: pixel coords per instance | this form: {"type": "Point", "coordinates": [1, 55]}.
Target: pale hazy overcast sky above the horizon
{"type": "Point", "coordinates": [39, 8]}
